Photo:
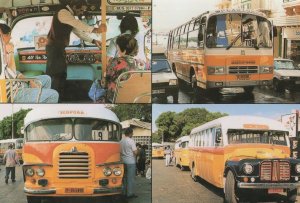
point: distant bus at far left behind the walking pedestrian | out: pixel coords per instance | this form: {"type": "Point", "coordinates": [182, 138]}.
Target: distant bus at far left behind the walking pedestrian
{"type": "Point", "coordinates": [18, 146]}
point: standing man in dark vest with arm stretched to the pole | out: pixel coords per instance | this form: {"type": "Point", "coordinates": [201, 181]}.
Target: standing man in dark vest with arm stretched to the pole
{"type": "Point", "coordinates": [63, 23]}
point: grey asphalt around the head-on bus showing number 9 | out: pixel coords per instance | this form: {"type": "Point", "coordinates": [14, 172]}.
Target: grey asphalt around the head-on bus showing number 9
{"type": "Point", "coordinates": [13, 192]}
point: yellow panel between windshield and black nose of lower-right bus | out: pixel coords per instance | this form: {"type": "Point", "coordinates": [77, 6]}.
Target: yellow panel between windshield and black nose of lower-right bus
{"type": "Point", "coordinates": [236, 153]}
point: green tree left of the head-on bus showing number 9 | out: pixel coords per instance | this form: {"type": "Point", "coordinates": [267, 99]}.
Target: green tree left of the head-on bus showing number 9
{"type": "Point", "coordinates": [18, 122]}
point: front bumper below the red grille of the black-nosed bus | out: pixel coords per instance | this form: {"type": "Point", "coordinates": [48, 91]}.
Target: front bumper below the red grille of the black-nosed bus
{"type": "Point", "coordinates": [269, 185]}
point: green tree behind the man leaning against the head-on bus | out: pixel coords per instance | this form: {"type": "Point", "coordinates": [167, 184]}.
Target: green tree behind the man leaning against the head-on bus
{"type": "Point", "coordinates": [129, 111]}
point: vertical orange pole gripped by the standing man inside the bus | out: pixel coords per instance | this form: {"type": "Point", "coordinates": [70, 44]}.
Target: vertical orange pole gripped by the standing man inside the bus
{"type": "Point", "coordinates": [103, 43]}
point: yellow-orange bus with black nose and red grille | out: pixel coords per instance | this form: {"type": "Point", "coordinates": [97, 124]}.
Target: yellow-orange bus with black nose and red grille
{"type": "Point", "coordinates": [243, 154]}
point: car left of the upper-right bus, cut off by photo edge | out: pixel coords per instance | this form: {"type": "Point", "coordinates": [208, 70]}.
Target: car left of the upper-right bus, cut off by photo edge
{"type": "Point", "coordinates": [164, 81]}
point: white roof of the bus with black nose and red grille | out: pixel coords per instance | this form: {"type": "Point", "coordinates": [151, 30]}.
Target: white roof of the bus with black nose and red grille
{"type": "Point", "coordinates": [243, 122]}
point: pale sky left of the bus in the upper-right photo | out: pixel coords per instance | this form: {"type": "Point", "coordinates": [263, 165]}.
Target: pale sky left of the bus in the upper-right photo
{"type": "Point", "coordinates": [168, 14]}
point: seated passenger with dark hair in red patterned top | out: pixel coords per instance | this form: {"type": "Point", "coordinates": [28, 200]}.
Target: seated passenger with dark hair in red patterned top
{"type": "Point", "coordinates": [127, 48]}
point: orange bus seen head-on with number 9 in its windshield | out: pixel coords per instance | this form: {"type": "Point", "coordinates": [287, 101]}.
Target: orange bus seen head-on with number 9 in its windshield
{"type": "Point", "coordinates": [72, 150]}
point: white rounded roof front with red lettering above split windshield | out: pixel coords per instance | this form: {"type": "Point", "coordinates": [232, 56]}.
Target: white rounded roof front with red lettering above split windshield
{"type": "Point", "coordinates": [70, 110]}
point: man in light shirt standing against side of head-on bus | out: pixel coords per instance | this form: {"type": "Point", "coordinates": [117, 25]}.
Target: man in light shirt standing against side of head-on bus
{"type": "Point", "coordinates": [128, 155]}
